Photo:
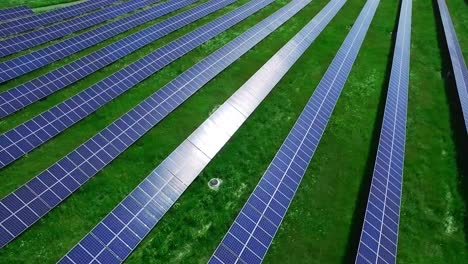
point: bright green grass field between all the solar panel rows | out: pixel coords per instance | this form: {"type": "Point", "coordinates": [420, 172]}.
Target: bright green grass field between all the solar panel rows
{"type": "Point", "coordinates": [324, 221]}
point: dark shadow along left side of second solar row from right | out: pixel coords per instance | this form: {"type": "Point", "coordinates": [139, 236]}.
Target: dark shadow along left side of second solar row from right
{"type": "Point", "coordinates": [361, 202]}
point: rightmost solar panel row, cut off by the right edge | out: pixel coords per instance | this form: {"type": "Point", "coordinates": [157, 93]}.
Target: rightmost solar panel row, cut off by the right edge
{"type": "Point", "coordinates": [456, 56]}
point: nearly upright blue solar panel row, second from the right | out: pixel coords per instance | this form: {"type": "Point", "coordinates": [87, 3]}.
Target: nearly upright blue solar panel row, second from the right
{"type": "Point", "coordinates": [379, 235]}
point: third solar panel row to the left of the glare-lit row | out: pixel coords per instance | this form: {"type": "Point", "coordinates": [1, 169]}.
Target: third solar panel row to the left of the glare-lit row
{"type": "Point", "coordinates": [25, 94]}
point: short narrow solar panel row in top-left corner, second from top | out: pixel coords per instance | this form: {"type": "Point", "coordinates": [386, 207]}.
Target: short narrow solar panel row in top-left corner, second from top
{"type": "Point", "coordinates": [31, 22]}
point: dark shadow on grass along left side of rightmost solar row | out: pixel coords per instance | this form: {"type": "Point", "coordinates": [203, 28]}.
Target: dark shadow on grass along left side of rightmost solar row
{"type": "Point", "coordinates": [457, 122]}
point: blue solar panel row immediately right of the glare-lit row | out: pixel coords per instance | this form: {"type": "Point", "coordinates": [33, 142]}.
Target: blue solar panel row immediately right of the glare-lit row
{"type": "Point", "coordinates": [253, 230]}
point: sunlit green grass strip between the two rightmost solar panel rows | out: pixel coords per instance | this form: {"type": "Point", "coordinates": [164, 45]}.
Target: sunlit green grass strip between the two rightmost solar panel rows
{"type": "Point", "coordinates": [433, 208]}
